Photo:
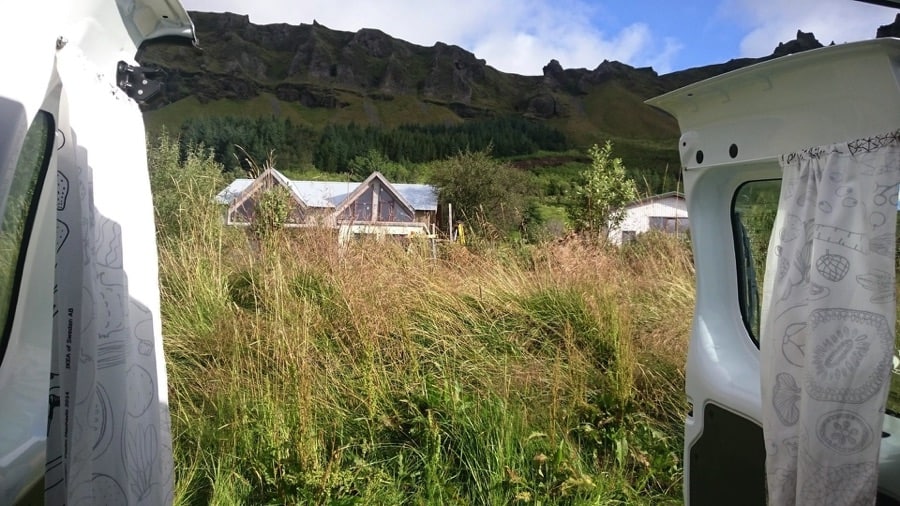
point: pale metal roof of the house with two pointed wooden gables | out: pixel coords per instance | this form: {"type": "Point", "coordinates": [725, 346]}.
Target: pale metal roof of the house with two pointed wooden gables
{"type": "Point", "coordinates": [330, 194]}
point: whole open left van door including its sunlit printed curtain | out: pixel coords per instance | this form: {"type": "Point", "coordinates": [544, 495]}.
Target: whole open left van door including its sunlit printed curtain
{"type": "Point", "coordinates": [83, 409]}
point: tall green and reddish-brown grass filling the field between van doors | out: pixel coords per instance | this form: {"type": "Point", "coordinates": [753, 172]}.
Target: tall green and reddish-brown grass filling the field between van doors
{"type": "Point", "coordinates": [304, 373]}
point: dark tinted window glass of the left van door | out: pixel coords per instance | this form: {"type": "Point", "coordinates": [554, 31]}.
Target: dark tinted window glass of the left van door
{"type": "Point", "coordinates": [17, 214]}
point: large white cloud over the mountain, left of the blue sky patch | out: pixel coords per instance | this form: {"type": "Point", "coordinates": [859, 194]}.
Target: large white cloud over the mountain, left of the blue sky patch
{"type": "Point", "coordinates": [518, 36]}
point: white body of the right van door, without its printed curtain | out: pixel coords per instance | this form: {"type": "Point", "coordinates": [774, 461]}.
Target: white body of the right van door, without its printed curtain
{"type": "Point", "coordinates": [734, 127]}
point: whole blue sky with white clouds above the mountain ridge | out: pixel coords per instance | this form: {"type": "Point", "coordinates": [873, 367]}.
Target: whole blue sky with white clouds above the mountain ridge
{"type": "Point", "coordinates": [521, 36]}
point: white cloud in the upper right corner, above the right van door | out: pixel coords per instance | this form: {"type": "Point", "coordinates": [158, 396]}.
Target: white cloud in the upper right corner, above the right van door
{"type": "Point", "coordinates": [830, 20]}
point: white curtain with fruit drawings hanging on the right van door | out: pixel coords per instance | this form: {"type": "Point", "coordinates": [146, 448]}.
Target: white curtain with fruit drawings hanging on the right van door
{"type": "Point", "coordinates": [828, 322]}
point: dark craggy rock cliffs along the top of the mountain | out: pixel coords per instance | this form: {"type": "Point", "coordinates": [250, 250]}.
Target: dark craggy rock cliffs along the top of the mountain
{"type": "Point", "coordinates": [318, 67]}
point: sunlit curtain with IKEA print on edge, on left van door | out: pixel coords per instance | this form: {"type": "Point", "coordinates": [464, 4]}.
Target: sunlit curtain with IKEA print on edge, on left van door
{"type": "Point", "coordinates": [108, 434]}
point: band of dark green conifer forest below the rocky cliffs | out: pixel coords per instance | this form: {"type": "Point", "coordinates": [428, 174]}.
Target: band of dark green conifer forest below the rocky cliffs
{"type": "Point", "coordinates": [333, 149]}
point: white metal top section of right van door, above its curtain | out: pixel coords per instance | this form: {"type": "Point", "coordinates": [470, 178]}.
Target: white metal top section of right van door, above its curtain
{"type": "Point", "coordinates": [776, 107]}
